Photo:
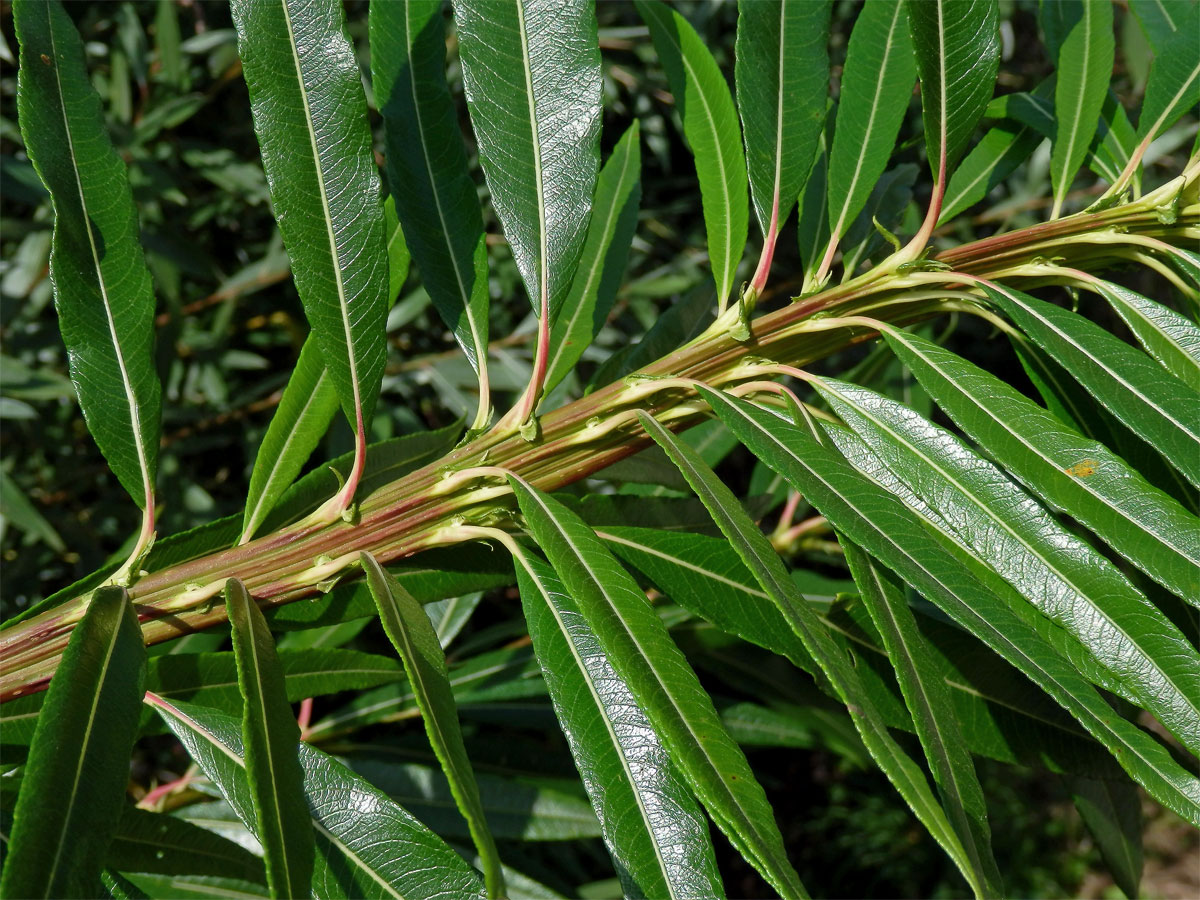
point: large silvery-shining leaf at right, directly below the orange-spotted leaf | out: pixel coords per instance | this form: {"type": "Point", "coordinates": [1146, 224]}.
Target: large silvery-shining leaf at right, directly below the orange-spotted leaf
{"type": "Point", "coordinates": [1059, 574]}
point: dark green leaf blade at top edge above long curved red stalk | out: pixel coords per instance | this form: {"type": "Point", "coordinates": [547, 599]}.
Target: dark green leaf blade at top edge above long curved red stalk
{"type": "Point", "coordinates": [958, 57]}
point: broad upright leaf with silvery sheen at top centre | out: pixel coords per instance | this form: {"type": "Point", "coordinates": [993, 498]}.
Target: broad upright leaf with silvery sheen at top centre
{"type": "Point", "coordinates": [532, 75]}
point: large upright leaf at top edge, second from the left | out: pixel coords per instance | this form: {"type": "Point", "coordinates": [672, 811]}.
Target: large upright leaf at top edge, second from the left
{"type": "Point", "coordinates": [311, 121]}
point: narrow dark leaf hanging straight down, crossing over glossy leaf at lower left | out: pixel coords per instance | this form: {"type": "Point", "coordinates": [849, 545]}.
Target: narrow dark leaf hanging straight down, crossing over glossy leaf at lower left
{"type": "Point", "coordinates": [271, 736]}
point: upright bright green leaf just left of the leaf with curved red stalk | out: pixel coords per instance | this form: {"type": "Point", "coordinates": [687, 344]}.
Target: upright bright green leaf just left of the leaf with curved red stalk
{"type": "Point", "coordinates": [877, 86]}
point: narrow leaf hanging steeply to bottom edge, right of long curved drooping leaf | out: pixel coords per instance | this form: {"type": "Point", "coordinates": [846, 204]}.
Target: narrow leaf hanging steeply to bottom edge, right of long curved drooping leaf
{"type": "Point", "coordinates": [933, 713]}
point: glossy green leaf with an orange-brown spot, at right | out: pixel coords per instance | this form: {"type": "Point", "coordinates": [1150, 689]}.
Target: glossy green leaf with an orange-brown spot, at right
{"type": "Point", "coordinates": [1077, 476]}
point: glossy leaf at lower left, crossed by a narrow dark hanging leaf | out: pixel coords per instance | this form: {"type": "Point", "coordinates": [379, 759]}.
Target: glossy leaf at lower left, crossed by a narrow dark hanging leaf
{"type": "Point", "coordinates": [367, 845]}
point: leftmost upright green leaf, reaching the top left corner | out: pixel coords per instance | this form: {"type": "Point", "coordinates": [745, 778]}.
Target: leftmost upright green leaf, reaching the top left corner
{"type": "Point", "coordinates": [103, 290]}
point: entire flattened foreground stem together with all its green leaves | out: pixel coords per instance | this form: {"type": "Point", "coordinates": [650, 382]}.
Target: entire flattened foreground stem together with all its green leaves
{"type": "Point", "coordinates": [1017, 583]}
